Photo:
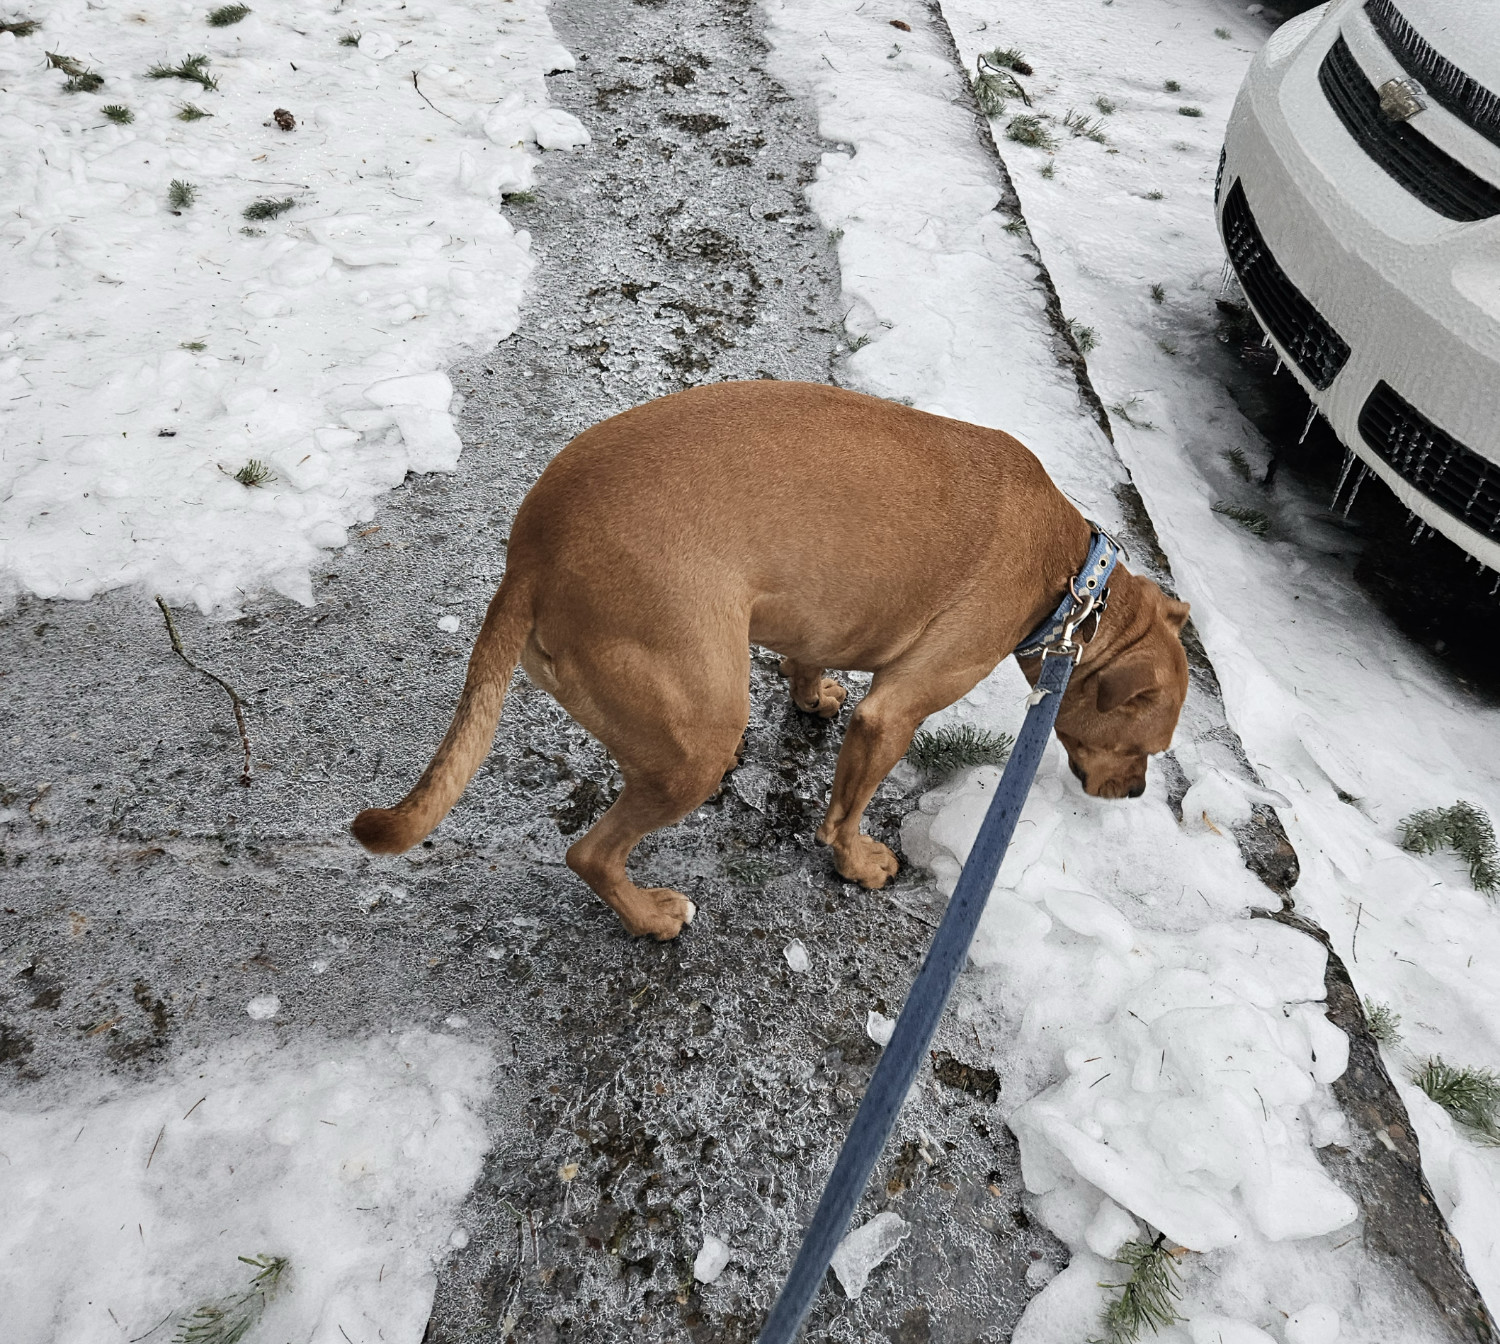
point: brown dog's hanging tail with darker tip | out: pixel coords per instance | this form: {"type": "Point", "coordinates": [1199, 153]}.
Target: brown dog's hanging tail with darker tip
{"type": "Point", "coordinates": [508, 623]}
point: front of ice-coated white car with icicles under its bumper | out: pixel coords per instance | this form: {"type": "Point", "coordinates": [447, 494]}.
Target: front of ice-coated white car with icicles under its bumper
{"type": "Point", "coordinates": [1360, 205]}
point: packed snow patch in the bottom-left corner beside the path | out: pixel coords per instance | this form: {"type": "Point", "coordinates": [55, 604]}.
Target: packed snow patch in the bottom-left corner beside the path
{"type": "Point", "coordinates": [130, 1210]}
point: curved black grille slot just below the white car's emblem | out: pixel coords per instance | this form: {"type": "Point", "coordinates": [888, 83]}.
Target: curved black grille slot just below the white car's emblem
{"type": "Point", "coordinates": [1433, 176]}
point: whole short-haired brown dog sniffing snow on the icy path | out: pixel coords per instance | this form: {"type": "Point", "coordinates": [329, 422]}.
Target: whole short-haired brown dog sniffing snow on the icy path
{"type": "Point", "coordinates": [839, 530]}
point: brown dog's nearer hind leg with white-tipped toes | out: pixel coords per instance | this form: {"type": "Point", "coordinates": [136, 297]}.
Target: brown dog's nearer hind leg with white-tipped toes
{"type": "Point", "coordinates": [673, 737]}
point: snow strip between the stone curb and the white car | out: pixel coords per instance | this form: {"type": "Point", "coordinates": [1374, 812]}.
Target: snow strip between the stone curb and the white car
{"type": "Point", "coordinates": [1339, 713]}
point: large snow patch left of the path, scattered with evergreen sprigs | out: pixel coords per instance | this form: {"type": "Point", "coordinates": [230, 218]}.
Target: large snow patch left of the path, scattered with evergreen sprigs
{"type": "Point", "coordinates": [149, 350]}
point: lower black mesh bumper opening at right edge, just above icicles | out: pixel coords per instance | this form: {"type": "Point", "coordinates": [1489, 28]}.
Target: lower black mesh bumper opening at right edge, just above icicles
{"type": "Point", "coordinates": [1430, 460]}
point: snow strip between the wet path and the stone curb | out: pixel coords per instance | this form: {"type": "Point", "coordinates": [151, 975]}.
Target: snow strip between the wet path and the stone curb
{"type": "Point", "coordinates": [1118, 955]}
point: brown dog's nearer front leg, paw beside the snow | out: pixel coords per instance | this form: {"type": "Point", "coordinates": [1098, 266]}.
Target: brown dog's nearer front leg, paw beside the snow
{"type": "Point", "coordinates": [880, 733]}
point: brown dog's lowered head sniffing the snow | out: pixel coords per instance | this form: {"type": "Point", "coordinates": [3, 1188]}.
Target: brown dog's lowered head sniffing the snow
{"type": "Point", "coordinates": [1126, 707]}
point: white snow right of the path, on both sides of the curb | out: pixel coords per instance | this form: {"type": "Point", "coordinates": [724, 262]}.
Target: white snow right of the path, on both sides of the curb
{"type": "Point", "coordinates": [1166, 1058]}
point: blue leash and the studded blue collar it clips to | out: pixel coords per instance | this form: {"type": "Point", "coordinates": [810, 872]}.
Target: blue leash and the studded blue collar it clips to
{"type": "Point", "coordinates": [950, 949]}
